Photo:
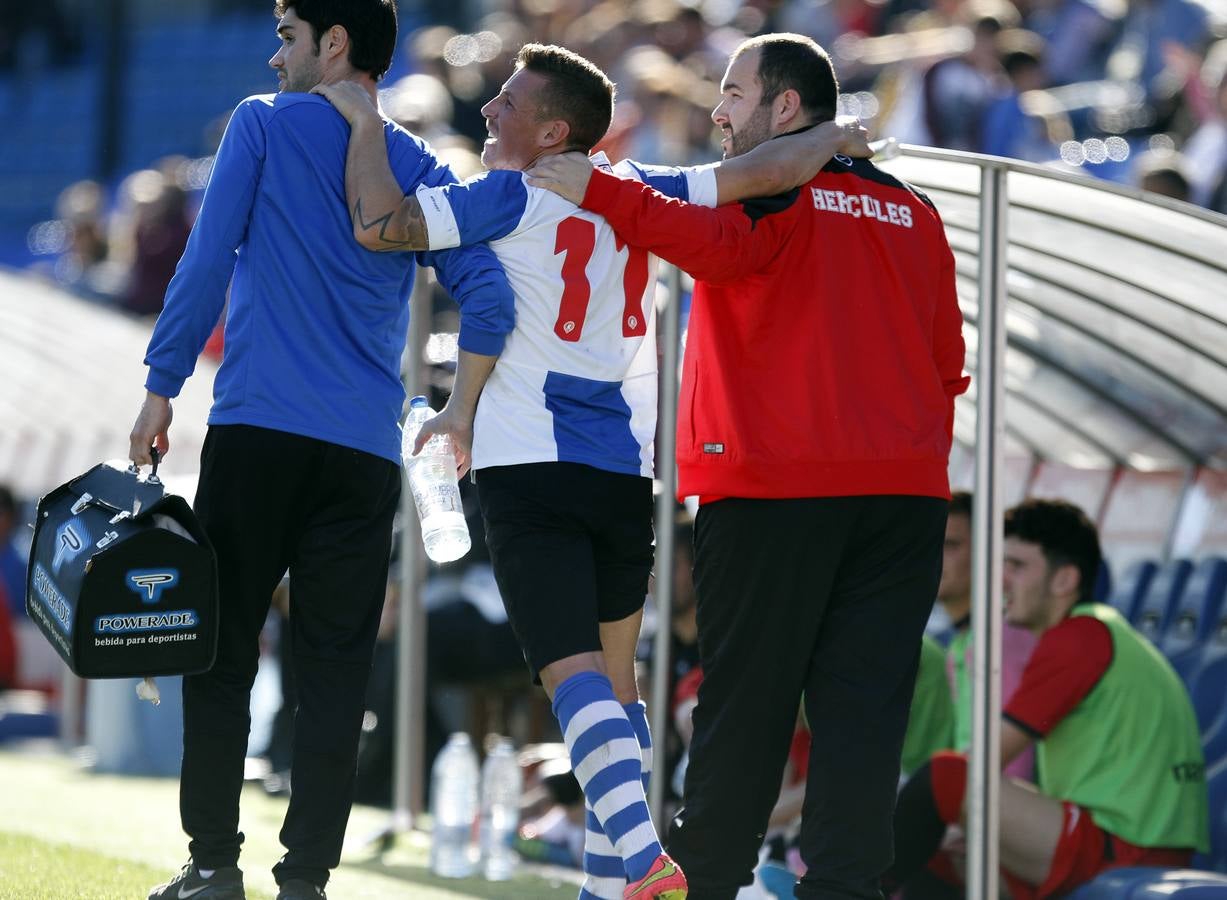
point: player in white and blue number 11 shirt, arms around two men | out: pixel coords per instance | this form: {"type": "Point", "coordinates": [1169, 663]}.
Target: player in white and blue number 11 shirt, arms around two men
{"type": "Point", "coordinates": [563, 439]}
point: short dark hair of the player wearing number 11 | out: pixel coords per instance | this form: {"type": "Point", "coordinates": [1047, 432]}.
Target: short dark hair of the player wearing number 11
{"type": "Point", "coordinates": [577, 93]}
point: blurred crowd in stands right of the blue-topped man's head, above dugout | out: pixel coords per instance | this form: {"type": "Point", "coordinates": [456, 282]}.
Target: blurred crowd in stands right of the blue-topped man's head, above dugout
{"type": "Point", "coordinates": [1042, 82]}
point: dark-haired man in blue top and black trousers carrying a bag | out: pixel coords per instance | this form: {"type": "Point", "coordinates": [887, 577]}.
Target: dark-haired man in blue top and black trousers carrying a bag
{"type": "Point", "coordinates": [300, 466]}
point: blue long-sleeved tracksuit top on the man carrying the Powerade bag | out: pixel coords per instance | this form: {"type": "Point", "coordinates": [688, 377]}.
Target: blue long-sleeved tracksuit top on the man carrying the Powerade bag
{"type": "Point", "coordinates": [316, 326]}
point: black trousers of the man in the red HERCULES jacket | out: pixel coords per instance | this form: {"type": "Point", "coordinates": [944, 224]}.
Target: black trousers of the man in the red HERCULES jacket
{"type": "Point", "coordinates": [824, 597]}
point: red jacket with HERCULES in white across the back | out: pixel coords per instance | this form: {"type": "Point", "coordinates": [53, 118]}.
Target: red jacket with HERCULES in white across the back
{"type": "Point", "coordinates": [825, 347]}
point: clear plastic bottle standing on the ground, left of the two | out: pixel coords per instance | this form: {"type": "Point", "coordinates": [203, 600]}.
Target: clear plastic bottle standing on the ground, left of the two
{"type": "Point", "coordinates": [453, 807]}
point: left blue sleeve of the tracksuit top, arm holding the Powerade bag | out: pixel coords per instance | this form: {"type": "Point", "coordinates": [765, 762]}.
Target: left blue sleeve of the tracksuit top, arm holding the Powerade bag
{"type": "Point", "coordinates": [197, 294]}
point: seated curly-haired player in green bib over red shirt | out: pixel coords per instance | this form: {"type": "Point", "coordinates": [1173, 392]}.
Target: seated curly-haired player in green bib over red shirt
{"type": "Point", "coordinates": [1122, 778]}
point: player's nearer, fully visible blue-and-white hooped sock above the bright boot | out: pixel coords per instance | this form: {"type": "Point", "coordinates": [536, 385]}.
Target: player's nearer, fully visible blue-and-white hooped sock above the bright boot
{"type": "Point", "coordinates": [608, 763]}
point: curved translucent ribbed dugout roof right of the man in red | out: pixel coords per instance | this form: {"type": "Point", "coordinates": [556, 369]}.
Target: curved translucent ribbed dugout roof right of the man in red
{"type": "Point", "coordinates": [1116, 320]}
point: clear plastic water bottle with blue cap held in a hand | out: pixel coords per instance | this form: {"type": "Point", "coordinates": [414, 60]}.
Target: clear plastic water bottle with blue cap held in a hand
{"type": "Point", "coordinates": [433, 477]}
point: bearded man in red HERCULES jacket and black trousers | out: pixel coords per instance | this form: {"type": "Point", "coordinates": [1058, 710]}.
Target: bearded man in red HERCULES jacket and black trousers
{"type": "Point", "coordinates": [824, 358]}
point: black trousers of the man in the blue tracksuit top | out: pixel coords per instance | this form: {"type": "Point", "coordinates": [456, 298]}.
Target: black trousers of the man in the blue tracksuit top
{"type": "Point", "coordinates": [272, 502]}
